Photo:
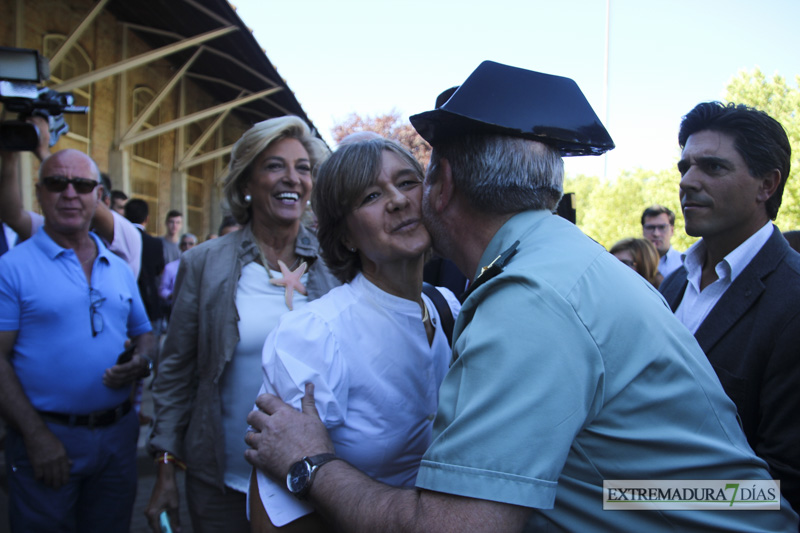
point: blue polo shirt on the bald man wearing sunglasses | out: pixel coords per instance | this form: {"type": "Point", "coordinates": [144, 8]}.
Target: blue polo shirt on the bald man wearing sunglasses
{"type": "Point", "coordinates": [45, 297]}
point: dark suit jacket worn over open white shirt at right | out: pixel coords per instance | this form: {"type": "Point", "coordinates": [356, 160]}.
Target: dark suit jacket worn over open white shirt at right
{"type": "Point", "coordinates": [752, 339]}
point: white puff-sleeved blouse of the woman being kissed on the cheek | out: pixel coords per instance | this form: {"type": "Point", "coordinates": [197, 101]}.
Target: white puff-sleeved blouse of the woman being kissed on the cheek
{"type": "Point", "coordinates": [376, 381]}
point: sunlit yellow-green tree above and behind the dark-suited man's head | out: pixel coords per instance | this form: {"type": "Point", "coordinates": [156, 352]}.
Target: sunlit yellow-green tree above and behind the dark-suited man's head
{"type": "Point", "coordinates": [781, 102]}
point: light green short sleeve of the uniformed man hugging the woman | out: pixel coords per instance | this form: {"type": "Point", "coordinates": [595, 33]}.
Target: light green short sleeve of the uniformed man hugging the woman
{"type": "Point", "coordinates": [549, 361]}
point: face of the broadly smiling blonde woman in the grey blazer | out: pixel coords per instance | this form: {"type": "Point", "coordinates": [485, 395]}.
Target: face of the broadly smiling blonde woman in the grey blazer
{"type": "Point", "coordinates": [280, 183]}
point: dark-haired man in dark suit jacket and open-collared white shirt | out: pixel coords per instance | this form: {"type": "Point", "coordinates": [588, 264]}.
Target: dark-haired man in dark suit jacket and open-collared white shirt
{"type": "Point", "coordinates": [739, 288]}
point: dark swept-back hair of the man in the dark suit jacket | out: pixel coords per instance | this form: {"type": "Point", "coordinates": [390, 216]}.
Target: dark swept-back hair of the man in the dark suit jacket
{"type": "Point", "coordinates": [757, 137]}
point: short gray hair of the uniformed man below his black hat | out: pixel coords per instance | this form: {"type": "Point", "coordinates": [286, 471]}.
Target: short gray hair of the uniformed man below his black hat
{"type": "Point", "coordinates": [501, 175]}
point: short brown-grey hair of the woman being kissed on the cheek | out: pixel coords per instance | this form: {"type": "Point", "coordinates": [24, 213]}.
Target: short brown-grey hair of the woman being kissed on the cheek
{"type": "Point", "coordinates": [340, 182]}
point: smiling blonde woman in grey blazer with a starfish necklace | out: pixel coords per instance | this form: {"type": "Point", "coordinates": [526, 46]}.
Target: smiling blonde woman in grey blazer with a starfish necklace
{"type": "Point", "coordinates": [229, 294]}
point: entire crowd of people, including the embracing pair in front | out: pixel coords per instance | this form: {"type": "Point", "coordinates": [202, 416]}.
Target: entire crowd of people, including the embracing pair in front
{"type": "Point", "coordinates": [503, 402]}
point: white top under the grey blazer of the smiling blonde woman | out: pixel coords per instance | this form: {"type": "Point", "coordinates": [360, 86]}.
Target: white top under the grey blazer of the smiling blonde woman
{"type": "Point", "coordinates": [260, 306]}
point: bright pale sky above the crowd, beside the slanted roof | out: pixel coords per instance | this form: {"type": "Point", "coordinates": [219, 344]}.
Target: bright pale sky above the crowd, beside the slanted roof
{"type": "Point", "coordinates": [665, 56]}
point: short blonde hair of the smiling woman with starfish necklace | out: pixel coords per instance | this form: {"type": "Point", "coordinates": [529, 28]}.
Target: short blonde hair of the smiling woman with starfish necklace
{"type": "Point", "coordinates": [249, 147]}
